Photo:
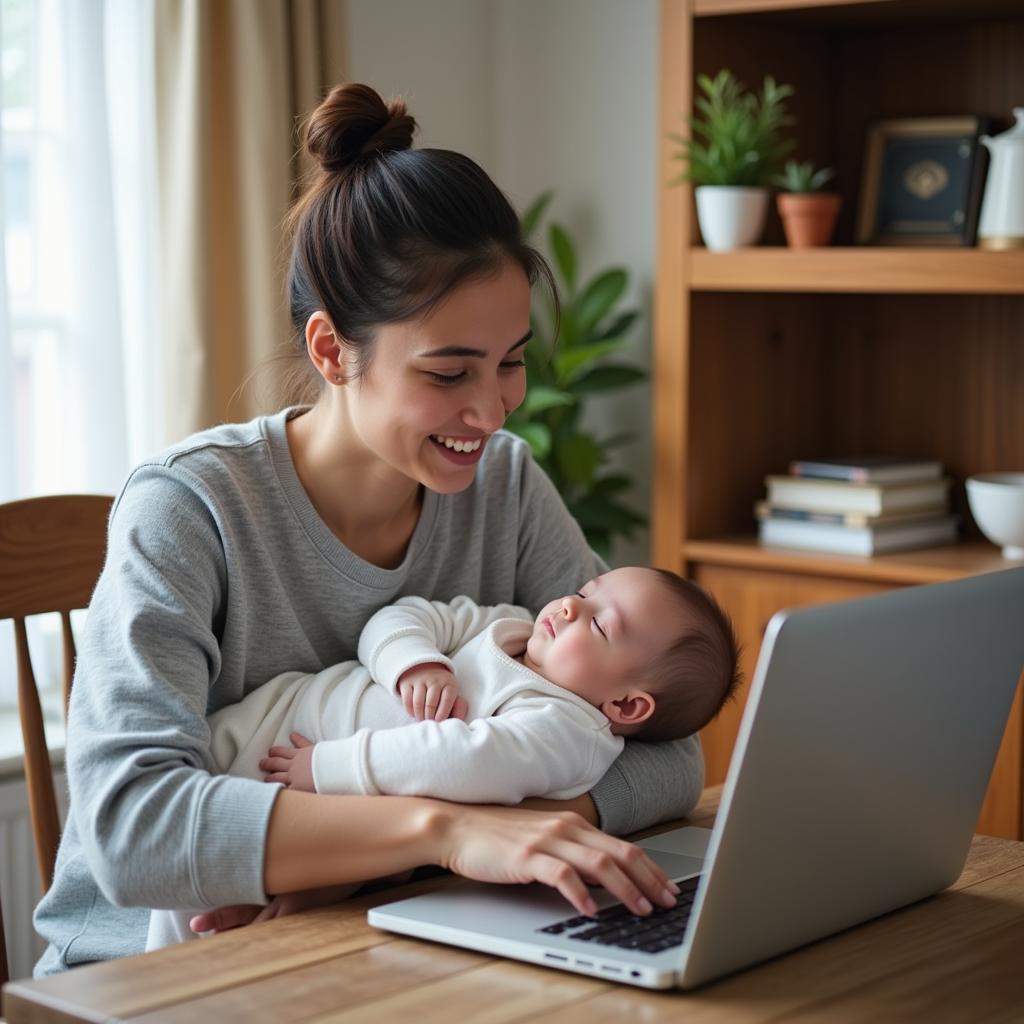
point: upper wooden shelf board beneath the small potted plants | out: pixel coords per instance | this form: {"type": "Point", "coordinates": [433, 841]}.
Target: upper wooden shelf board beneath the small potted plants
{"type": "Point", "coordinates": [867, 271]}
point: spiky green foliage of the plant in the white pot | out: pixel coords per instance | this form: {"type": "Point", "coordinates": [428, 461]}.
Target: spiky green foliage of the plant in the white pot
{"type": "Point", "coordinates": [738, 139]}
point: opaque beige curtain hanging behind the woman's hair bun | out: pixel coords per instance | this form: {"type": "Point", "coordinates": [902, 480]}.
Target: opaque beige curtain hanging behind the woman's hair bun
{"type": "Point", "coordinates": [234, 77]}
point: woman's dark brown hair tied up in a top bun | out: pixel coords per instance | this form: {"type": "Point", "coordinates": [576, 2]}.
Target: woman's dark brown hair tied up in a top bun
{"type": "Point", "coordinates": [385, 232]}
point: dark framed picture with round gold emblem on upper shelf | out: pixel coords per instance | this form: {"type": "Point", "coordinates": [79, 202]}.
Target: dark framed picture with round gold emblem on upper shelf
{"type": "Point", "coordinates": [923, 182]}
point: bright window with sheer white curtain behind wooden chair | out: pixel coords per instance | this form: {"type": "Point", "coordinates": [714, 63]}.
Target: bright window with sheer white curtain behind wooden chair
{"type": "Point", "coordinates": [78, 404]}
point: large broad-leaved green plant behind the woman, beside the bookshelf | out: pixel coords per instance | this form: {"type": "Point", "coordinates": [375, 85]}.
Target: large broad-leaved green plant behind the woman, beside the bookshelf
{"type": "Point", "coordinates": [569, 361]}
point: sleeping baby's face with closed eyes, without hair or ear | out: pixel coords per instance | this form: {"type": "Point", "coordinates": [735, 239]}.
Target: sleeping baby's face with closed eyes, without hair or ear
{"type": "Point", "coordinates": [599, 642]}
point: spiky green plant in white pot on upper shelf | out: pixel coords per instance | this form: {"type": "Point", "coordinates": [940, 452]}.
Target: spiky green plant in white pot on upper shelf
{"type": "Point", "coordinates": [735, 150]}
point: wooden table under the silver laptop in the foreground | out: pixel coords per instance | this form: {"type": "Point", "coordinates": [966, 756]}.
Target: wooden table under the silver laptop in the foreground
{"type": "Point", "coordinates": [955, 958]}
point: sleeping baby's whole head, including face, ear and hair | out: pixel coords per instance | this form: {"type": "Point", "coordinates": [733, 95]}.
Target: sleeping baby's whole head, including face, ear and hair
{"type": "Point", "coordinates": [655, 653]}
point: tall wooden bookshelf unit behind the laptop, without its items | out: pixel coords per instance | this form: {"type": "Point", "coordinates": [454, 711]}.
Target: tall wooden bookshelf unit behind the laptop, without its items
{"type": "Point", "coordinates": [767, 355]}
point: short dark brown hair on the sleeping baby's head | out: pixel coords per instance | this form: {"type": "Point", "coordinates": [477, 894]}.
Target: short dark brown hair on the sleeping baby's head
{"type": "Point", "coordinates": [699, 673]}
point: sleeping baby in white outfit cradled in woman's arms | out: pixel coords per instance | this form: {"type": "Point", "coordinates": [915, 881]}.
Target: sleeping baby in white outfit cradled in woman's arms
{"type": "Point", "coordinates": [495, 706]}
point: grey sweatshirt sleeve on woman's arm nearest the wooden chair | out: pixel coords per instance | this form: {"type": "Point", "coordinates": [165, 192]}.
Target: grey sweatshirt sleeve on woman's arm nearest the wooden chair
{"type": "Point", "coordinates": [156, 828]}
